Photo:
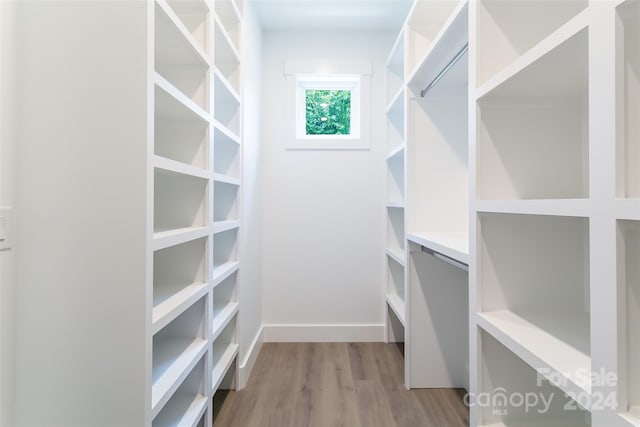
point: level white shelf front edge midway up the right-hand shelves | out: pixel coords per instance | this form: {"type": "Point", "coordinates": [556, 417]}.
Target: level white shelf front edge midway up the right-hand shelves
{"type": "Point", "coordinates": [555, 207]}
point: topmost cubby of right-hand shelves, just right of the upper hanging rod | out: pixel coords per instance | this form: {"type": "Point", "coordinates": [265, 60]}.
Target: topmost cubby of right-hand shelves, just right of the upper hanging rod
{"type": "Point", "coordinates": [506, 30]}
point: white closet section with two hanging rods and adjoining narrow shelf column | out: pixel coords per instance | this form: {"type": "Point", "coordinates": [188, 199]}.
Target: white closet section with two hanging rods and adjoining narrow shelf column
{"type": "Point", "coordinates": [428, 168]}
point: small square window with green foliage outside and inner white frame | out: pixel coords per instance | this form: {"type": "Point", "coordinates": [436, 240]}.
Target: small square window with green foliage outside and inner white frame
{"type": "Point", "coordinates": [328, 107]}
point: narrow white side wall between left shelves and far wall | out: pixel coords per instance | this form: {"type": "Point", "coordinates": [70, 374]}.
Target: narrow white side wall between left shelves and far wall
{"type": "Point", "coordinates": [250, 290]}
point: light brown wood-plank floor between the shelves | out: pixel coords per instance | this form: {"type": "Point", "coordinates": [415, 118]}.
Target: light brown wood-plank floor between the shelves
{"type": "Point", "coordinates": [335, 384]}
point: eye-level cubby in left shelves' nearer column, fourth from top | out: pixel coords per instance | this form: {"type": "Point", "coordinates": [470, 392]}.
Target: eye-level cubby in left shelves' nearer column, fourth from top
{"type": "Point", "coordinates": [179, 201]}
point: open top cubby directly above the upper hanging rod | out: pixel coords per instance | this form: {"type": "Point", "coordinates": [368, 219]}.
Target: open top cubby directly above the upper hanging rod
{"type": "Point", "coordinates": [425, 21]}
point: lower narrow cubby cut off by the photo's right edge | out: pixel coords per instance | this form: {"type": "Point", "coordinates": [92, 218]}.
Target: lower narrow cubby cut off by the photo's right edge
{"type": "Point", "coordinates": [628, 254]}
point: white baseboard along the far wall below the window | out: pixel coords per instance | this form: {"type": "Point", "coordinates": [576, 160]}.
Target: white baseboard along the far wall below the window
{"type": "Point", "coordinates": [323, 333]}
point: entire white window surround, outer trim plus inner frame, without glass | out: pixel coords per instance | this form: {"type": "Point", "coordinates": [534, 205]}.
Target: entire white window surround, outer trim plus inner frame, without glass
{"type": "Point", "coordinates": [332, 75]}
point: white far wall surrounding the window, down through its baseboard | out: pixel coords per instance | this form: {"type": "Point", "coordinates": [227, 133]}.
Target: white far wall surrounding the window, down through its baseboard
{"type": "Point", "coordinates": [324, 223]}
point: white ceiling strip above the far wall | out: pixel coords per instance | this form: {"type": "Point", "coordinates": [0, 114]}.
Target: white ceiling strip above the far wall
{"type": "Point", "coordinates": [332, 14]}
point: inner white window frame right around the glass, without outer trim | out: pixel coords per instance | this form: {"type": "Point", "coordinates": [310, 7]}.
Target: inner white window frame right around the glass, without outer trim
{"type": "Point", "coordinates": [350, 82]}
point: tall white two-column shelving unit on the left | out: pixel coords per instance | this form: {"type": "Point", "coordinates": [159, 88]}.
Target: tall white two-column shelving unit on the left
{"type": "Point", "coordinates": [196, 181]}
